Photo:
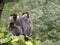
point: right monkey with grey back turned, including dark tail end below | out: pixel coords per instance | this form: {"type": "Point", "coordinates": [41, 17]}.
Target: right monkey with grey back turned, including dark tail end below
{"type": "Point", "coordinates": [26, 24]}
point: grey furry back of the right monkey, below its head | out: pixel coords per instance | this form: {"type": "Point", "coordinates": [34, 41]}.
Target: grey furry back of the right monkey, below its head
{"type": "Point", "coordinates": [26, 26]}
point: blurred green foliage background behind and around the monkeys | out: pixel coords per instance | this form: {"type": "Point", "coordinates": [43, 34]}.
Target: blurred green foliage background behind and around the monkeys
{"type": "Point", "coordinates": [45, 16]}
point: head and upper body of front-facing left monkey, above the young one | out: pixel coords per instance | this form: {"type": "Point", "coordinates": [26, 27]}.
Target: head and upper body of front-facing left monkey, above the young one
{"type": "Point", "coordinates": [14, 18]}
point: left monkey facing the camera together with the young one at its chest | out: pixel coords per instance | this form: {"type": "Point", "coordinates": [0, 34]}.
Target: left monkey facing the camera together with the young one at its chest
{"type": "Point", "coordinates": [14, 24]}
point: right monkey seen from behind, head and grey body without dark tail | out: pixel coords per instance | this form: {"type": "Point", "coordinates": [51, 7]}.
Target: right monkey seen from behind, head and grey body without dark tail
{"type": "Point", "coordinates": [26, 23]}
